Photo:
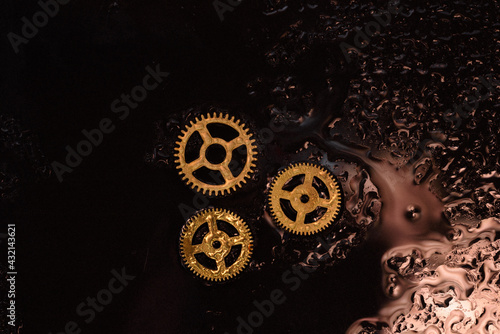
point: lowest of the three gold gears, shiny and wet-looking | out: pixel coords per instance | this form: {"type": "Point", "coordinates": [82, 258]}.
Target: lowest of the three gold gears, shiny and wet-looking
{"type": "Point", "coordinates": [217, 243]}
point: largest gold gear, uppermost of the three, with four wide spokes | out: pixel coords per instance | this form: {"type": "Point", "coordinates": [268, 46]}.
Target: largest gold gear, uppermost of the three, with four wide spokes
{"type": "Point", "coordinates": [215, 154]}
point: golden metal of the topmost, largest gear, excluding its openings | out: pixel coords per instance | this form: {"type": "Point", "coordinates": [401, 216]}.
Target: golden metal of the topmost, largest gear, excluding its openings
{"type": "Point", "coordinates": [187, 169]}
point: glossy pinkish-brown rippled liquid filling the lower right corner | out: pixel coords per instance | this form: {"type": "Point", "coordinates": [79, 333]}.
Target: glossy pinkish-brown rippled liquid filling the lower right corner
{"type": "Point", "coordinates": [437, 277]}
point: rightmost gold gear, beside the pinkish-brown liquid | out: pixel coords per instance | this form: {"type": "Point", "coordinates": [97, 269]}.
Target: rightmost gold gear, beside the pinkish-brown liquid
{"type": "Point", "coordinates": [305, 198]}
